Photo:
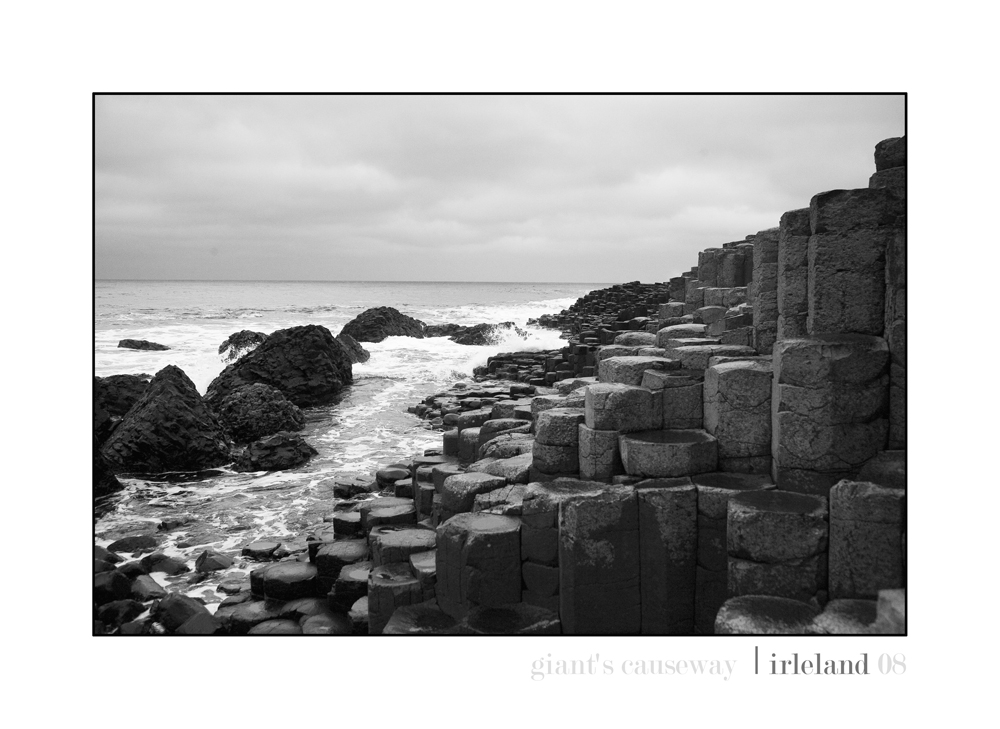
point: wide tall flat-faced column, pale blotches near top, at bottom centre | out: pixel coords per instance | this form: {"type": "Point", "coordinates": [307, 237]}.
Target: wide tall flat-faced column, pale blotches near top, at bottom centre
{"type": "Point", "coordinates": [599, 563]}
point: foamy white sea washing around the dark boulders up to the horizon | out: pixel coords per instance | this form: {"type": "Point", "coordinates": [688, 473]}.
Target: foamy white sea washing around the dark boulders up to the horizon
{"type": "Point", "coordinates": [367, 428]}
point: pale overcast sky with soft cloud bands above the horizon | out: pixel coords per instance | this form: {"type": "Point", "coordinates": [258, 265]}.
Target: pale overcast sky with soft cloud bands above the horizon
{"type": "Point", "coordinates": [461, 188]}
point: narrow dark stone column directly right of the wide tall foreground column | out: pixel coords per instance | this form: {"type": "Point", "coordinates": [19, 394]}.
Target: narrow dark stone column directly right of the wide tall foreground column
{"type": "Point", "coordinates": [668, 554]}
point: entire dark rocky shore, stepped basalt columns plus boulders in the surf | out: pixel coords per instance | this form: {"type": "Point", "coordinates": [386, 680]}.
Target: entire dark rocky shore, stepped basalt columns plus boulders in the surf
{"type": "Point", "coordinates": [730, 443]}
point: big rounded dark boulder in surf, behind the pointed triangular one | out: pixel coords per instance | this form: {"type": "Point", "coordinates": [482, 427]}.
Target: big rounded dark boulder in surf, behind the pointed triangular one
{"type": "Point", "coordinates": [307, 364]}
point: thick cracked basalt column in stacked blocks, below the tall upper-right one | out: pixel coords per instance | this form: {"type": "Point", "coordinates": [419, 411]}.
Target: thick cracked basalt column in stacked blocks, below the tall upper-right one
{"type": "Point", "coordinates": [829, 408]}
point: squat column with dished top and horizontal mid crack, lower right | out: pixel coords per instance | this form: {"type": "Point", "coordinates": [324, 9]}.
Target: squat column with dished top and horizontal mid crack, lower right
{"type": "Point", "coordinates": [777, 544]}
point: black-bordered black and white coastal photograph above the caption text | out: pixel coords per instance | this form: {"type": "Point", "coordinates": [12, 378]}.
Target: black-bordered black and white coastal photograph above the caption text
{"type": "Point", "coordinates": [603, 364]}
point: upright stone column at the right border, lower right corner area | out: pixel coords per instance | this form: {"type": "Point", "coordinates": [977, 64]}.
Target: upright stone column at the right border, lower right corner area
{"type": "Point", "coordinates": [866, 539]}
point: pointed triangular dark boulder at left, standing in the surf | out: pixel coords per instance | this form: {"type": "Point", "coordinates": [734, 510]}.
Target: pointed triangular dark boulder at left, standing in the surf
{"type": "Point", "coordinates": [168, 429]}
